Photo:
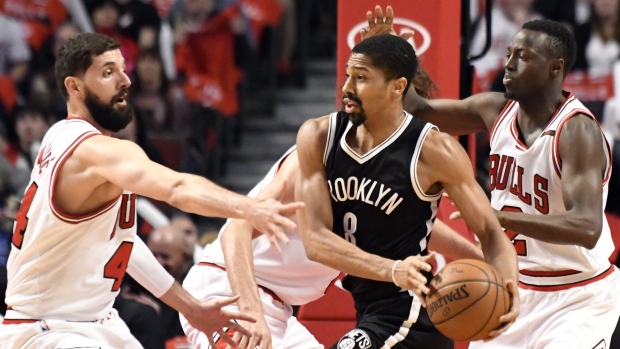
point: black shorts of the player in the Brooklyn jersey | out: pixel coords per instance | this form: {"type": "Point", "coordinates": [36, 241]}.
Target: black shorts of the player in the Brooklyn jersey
{"type": "Point", "coordinates": [387, 321]}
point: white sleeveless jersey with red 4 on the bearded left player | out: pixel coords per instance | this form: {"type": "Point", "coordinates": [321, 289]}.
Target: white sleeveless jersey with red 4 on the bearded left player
{"type": "Point", "coordinates": [63, 266]}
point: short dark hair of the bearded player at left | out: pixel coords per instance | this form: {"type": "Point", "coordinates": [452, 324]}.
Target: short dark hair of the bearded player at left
{"type": "Point", "coordinates": [76, 55]}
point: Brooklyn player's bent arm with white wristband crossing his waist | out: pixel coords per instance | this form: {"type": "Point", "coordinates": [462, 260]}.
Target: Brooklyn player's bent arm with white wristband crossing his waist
{"type": "Point", "coordinates": [316, 221]}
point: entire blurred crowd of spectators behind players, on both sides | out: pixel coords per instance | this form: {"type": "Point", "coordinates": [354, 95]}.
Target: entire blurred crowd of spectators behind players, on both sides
{"type": "Point", "coordinates": [199, 67]}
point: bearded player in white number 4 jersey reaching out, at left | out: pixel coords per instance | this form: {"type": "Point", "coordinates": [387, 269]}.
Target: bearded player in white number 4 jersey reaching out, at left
{"type": "Point", "coordinates": [75, 231]}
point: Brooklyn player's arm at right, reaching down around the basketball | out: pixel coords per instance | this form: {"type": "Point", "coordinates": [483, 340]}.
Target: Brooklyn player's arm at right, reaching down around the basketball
{"type": "Point", "coordinates": [443, 160]}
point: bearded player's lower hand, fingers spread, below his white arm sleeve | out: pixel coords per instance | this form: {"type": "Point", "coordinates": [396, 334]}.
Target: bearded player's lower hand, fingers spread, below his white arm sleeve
{"type": "Point", "coordinates": [209, 317]}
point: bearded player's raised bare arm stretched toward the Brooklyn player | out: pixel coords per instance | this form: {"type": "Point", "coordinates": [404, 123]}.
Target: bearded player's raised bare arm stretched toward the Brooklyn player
{"type": "Point", "coordinates": [125, 164]}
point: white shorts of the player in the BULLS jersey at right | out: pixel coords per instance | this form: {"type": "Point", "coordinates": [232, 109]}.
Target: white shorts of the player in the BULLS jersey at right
{"type": "Point", "coordinates": [576, 318]}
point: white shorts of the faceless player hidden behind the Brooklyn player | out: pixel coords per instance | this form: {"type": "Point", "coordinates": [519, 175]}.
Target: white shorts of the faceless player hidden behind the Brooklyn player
{"type": "Point", "coordinates": [207, 283]}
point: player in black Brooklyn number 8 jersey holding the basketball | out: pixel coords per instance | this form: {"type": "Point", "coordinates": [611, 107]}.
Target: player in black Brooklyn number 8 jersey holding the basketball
{"type": "Point", "coordinates": [371, 177]}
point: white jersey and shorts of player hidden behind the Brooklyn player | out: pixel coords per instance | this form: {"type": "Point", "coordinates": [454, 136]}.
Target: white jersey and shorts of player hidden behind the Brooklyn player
{"type": "Point", "coordinates": [285, 279]}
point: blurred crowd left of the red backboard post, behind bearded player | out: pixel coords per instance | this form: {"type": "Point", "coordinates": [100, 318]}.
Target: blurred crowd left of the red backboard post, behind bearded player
{"type": "Point", "coordinates": [198, 68]}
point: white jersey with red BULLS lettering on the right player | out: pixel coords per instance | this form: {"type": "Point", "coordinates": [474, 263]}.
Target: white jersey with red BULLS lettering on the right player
{"type": "Point", "coordinates": [530, 180]}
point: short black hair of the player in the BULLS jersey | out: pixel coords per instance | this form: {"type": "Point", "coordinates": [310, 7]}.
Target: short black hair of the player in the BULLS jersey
{"type": "Point", "coordinates": [561, 43]}
